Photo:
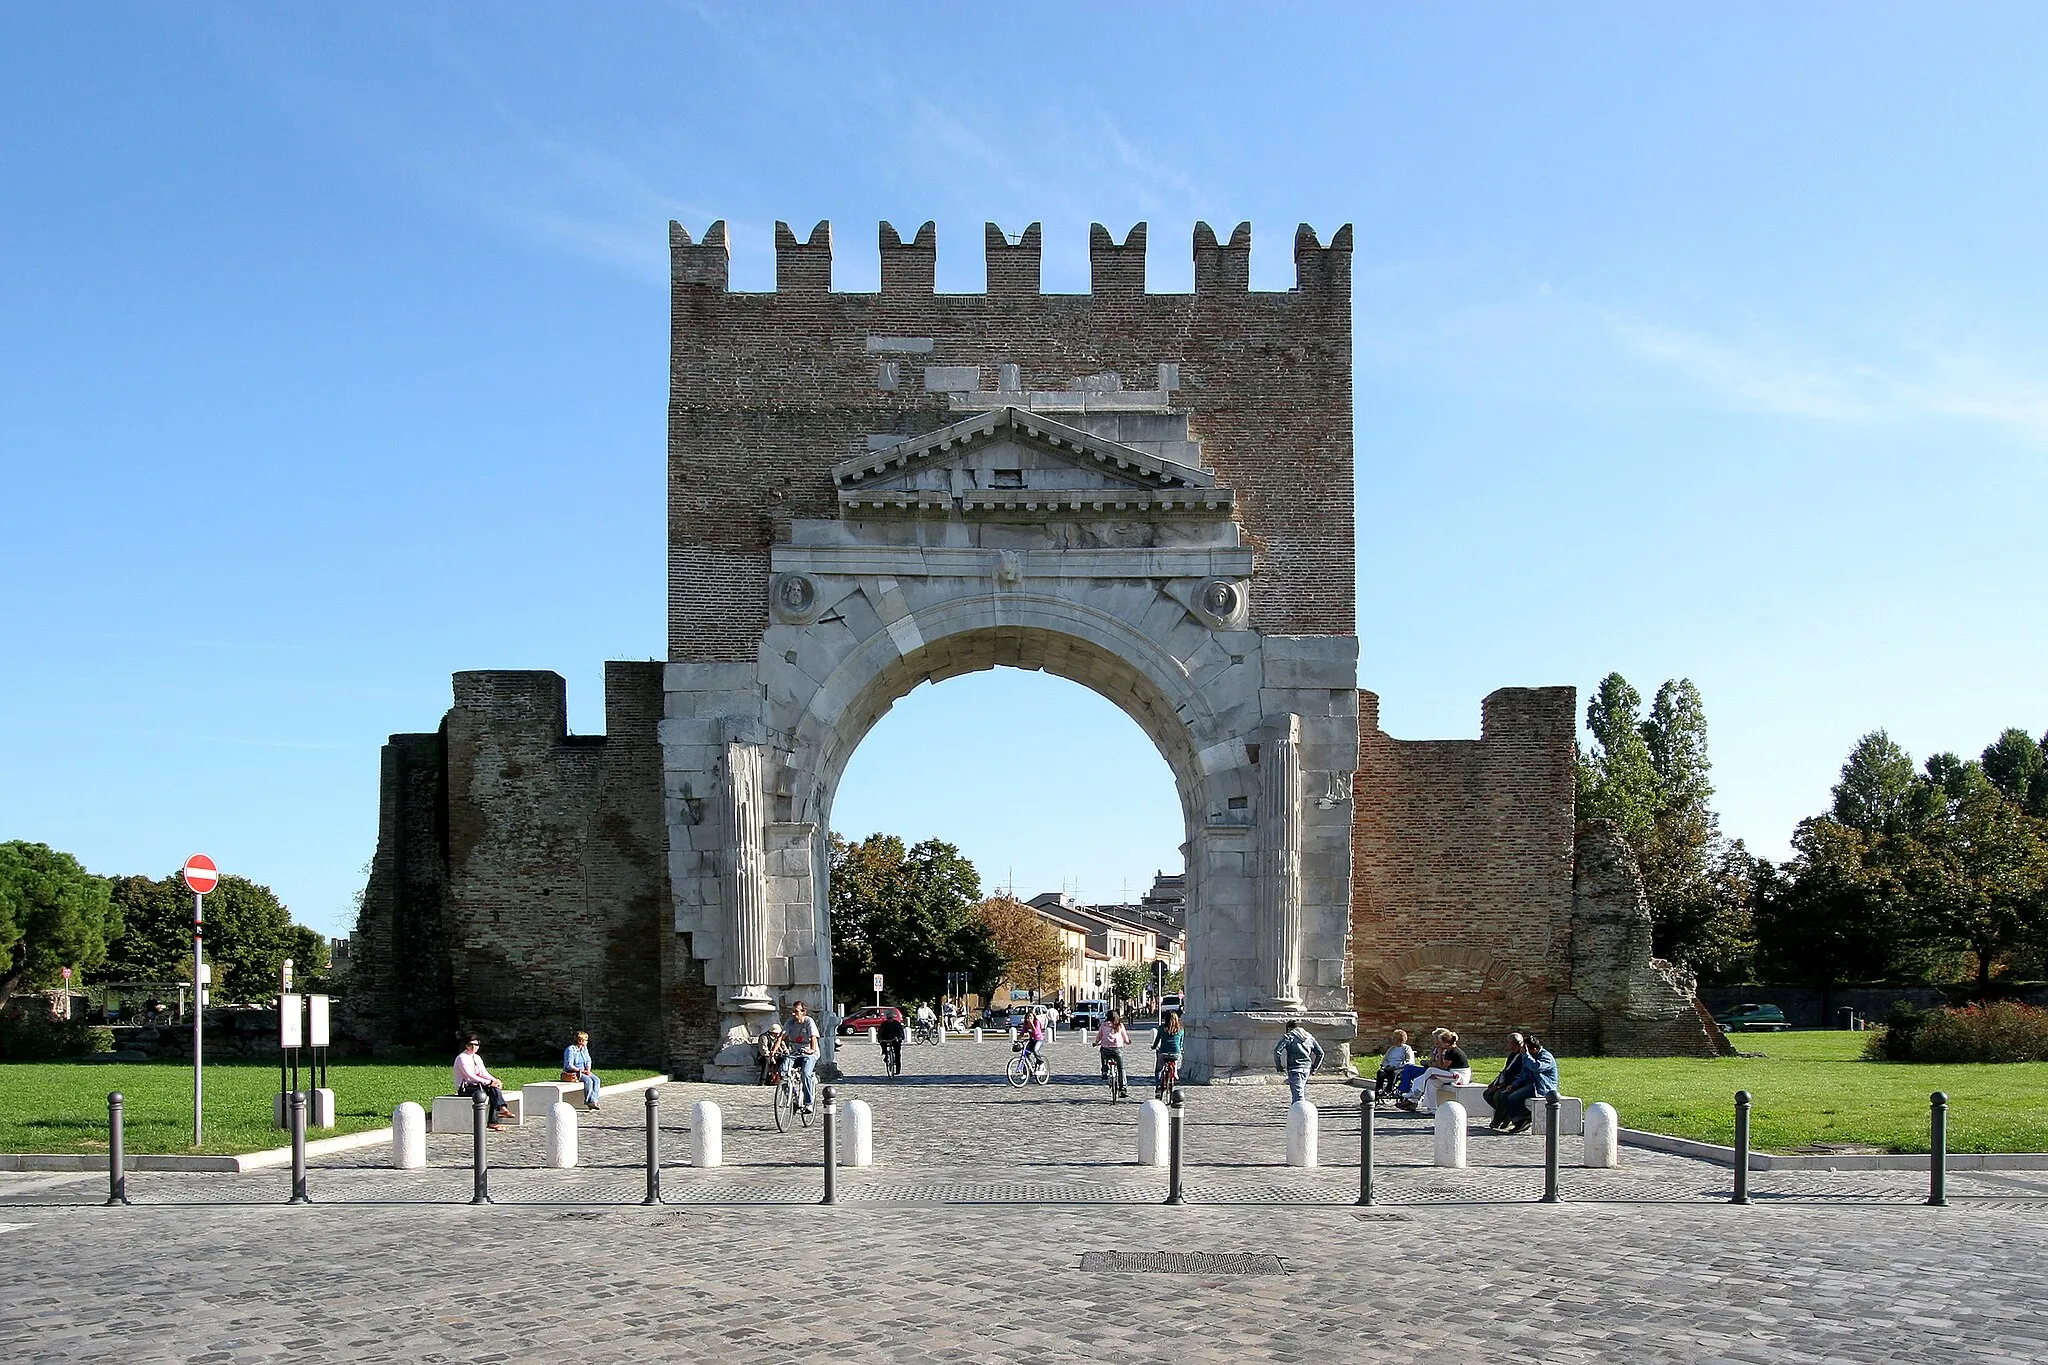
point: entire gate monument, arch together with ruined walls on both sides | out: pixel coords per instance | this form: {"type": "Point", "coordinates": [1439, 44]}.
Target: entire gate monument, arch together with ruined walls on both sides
{"type": "Point", "coordinates": [1148, 494]}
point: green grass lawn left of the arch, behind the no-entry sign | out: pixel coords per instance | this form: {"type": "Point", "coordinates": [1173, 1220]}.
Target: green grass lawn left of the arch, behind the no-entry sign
{"type": "Point", "coordinates": [62, 1106]}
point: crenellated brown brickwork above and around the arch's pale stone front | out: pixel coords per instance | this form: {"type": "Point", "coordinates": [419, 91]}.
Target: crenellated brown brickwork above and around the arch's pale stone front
{"type": "Point", "coordinates": [769, 390]}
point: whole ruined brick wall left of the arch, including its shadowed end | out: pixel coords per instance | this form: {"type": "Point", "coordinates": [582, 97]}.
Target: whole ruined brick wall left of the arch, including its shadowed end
{"type": "Point", "coordinates": [521, 877]}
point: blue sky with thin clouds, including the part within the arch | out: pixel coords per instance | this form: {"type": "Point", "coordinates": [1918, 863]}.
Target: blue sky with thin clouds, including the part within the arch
{"type": "Point", "coordinates": [333, 351]}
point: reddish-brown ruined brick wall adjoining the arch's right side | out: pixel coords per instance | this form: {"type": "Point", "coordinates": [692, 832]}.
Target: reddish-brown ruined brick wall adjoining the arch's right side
{"type": "Point", "coordinates": [1461, 873]}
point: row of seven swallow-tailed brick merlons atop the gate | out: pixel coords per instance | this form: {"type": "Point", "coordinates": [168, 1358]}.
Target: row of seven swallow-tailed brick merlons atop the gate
{"type": "Point", "coordinates": [1015, 267]}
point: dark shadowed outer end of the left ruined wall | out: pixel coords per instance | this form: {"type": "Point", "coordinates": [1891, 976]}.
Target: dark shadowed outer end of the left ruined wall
{"type": "Point", "coordinates": [400, 992]}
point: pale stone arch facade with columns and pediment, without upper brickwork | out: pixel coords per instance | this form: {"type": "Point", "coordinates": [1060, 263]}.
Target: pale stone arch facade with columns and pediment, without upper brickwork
{"type": "Point", "coordinates": [1072, 533]}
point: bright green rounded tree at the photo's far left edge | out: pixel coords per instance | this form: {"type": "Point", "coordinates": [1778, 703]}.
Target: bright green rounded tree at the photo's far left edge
{"type": "Point", "coordinates": [52, 916]}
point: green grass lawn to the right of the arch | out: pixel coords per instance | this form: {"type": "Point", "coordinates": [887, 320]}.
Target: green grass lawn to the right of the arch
{"type": "Point", "coordinates": [1814, 1088]}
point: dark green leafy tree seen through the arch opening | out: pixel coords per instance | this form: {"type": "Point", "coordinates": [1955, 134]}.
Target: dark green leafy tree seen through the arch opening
{"type": "Point", "coordinates": [910, 916]}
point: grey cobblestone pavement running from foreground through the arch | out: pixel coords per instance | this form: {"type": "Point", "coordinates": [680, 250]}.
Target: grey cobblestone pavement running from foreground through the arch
{"type": "Point", "coordinates": [966, 1245]}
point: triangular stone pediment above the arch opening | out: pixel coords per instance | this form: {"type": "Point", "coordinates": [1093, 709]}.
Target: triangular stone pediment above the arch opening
{"type": "Point", "coordinates": [1002, 451]}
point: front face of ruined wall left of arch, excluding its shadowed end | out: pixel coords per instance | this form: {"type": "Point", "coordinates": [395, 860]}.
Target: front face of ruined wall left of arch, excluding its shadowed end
{"type": "Point", "coordinates": [558, 865]}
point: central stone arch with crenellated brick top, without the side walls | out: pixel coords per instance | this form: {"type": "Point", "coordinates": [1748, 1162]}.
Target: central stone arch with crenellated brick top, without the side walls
{"type": "Point", "coordinates": [1109, 488]}
